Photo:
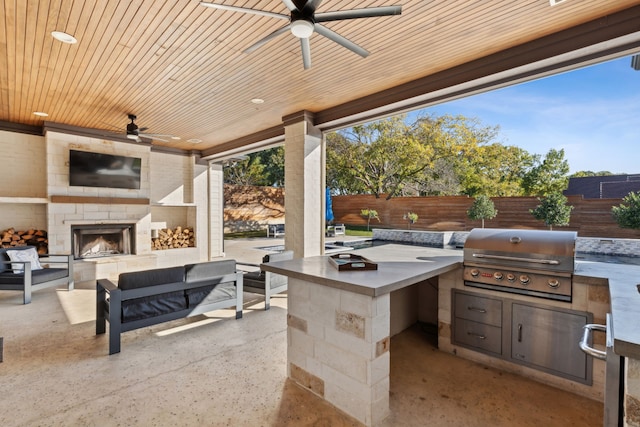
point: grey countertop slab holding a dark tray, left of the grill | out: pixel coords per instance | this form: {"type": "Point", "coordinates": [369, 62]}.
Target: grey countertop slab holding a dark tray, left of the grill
{"type": "Point", "coordinates": [398, 266]}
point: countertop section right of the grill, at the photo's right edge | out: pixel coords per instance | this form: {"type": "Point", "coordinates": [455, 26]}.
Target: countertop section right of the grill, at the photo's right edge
{"type": "Point", "coordinates": [625, 302]}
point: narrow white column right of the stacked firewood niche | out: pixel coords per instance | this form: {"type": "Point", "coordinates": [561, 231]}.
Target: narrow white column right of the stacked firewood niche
{"type": "Point", "coordinates": [216, 210]}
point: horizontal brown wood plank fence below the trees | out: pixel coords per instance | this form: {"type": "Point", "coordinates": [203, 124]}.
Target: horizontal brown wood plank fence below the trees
{"type": "Point", "coordinates": [251, 208]}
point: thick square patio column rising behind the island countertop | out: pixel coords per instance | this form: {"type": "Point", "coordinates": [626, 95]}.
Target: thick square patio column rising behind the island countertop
{"type": "Point", "coordinates": [304, 171]}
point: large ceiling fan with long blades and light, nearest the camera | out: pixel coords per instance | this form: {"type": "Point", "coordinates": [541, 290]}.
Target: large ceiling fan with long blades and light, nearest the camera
{"type": "Point", "coordinates": [304, 21]}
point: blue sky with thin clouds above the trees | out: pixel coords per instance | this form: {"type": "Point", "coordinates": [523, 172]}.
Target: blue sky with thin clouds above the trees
{"type": "Point", "coordinates": [592, 113]}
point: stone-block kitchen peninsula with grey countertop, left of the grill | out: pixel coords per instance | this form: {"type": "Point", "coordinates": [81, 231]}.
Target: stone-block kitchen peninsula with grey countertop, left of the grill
{"type": "Point", "coordinates": [339, 323]}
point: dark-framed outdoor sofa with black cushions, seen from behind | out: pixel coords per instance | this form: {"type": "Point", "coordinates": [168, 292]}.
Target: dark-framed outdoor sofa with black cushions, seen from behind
{"type": "Point", "coordinates": [145, 298]}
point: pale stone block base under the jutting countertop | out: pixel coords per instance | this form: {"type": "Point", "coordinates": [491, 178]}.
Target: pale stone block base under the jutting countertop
{"type": "Point", "coordinates": [338, 348]}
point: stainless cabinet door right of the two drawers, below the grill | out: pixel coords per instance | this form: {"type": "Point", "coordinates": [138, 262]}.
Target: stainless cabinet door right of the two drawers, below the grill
{"type": "Point", "coordinates": [548, 339]}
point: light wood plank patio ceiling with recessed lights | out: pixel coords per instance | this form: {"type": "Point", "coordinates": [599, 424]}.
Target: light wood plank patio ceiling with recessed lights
{"type": "Point", "coordinates": [180, 68]}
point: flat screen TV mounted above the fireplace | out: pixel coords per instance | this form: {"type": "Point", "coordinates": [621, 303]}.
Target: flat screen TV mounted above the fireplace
{"type": "Point", "coordinates": [103, 170]}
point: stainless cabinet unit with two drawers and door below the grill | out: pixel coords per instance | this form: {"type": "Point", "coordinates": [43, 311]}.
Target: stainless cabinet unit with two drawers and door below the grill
{"type": "Point", "coordinates": [532, 334]}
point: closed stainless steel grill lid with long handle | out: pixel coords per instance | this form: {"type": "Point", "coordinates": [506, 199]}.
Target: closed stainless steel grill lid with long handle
{"type": "Point", "coordinates": [530, 249]}
